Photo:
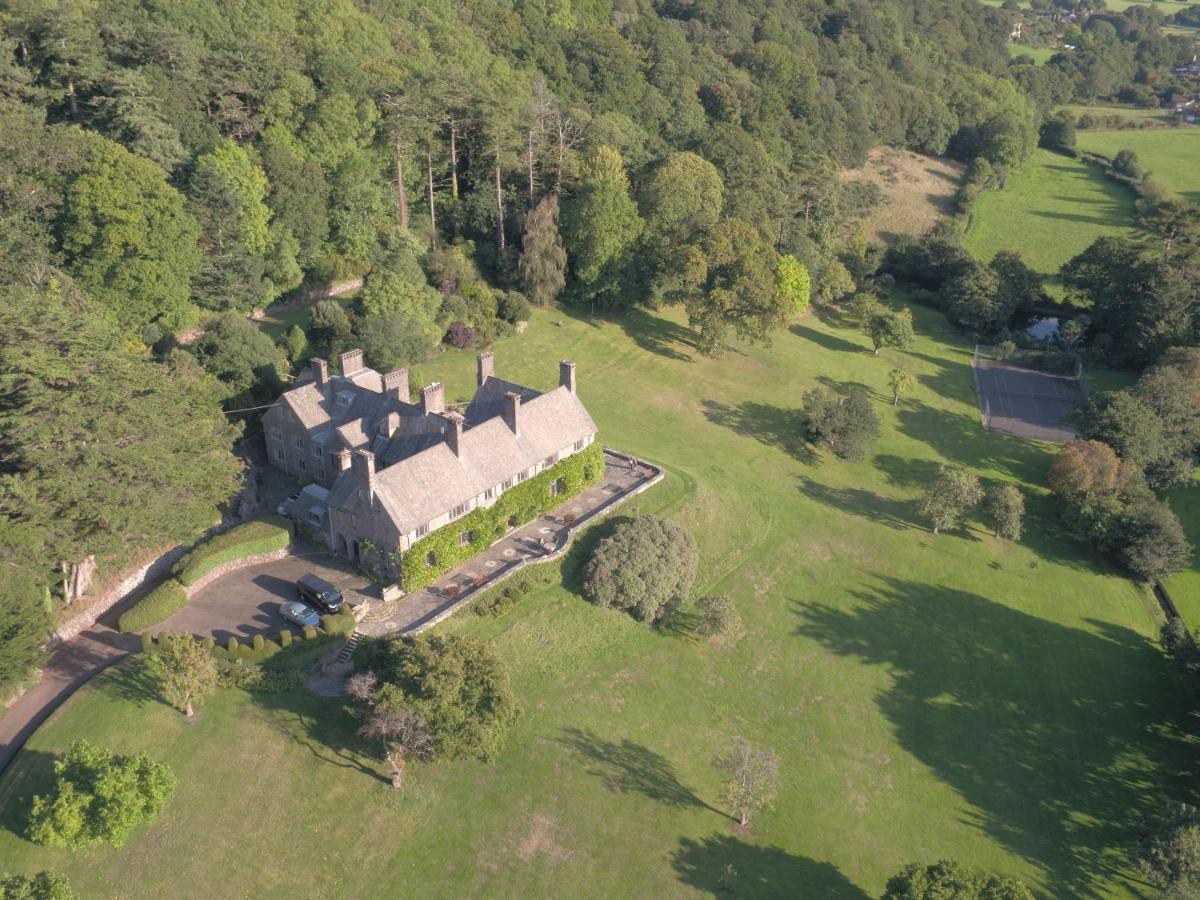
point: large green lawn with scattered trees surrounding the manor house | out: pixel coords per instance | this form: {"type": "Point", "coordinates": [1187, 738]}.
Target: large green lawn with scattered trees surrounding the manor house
{"type": "Point", "coordinates": [929, 697]}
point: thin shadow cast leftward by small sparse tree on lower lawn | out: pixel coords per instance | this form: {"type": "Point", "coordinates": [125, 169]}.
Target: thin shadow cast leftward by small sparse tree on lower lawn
{"type": "Point", "coordinates": [627, 767]}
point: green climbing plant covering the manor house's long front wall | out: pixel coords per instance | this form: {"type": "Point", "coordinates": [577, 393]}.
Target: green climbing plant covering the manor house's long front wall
{"type": "Point", "coordinates": [518, 506]}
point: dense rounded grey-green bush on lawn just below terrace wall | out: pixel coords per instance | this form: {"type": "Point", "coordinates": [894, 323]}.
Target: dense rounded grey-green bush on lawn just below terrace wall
{"type": "Point", "coordinates": [646, 567]}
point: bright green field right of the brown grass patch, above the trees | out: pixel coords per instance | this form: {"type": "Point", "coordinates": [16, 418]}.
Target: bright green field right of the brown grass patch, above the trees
{"type": "Point", "coordinates": [1051, 211]}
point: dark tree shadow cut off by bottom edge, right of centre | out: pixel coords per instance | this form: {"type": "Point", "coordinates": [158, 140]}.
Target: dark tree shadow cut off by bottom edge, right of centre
{"type": "Point", "coordinates": [723, 866]}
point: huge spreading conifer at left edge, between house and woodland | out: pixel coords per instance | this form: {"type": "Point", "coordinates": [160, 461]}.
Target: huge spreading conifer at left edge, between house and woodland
{"type": "Point", "coordinates": [106, 451]}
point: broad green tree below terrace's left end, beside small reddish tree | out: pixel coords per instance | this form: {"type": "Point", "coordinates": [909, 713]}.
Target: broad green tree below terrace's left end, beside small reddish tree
{"type": "Point", "coordinates": [458, 685]}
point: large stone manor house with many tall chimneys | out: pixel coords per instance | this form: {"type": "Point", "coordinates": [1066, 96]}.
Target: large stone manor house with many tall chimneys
{"type": "Point", "coordinates": [388, 471]}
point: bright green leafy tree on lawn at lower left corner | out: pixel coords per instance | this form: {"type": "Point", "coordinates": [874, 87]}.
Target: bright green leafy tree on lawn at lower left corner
{"type": "Point", "coordinates": [99, 797]}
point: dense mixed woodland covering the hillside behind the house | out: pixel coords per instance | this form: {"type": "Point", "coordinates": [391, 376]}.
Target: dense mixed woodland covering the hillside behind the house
{"type": "Point", "coordinates": [166, 169]}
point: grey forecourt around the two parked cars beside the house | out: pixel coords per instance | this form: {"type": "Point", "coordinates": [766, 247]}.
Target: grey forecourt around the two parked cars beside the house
{"type": "Point", "coordinates": [247, 602]}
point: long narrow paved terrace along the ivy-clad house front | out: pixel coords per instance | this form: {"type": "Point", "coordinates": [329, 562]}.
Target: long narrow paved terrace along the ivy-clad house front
{"type": "Point", "coordinates": [526, 545]}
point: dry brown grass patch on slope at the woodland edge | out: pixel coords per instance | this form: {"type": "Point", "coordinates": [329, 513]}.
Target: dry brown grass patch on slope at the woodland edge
{"type": "Point", "coordinates": [919, 191]}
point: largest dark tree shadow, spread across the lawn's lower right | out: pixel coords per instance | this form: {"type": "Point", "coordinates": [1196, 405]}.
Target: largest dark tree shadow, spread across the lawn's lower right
{"type": "Point", "coordinates": [1059, 740]}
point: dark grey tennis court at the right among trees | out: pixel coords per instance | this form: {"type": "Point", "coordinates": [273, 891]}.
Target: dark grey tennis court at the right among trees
{"type": "Point", "coordinates": [1027, 403]}
